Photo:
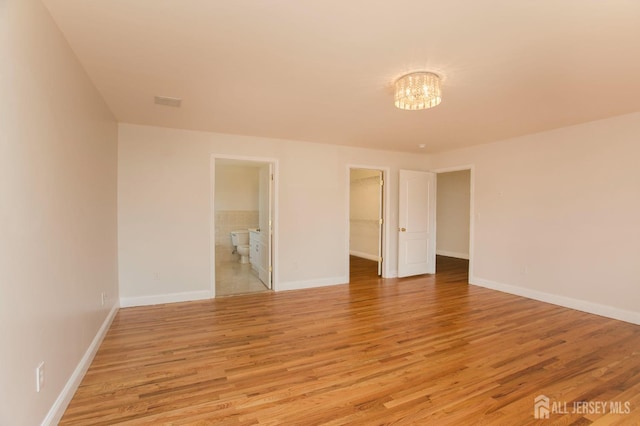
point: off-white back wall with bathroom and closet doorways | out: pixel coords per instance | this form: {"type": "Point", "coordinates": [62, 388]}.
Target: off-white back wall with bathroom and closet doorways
{"type": "Point", "coordinates": [164, 208]}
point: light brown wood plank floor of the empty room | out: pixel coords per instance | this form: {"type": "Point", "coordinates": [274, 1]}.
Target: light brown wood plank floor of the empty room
{"type": "Point", "coordinates": [421, 350]}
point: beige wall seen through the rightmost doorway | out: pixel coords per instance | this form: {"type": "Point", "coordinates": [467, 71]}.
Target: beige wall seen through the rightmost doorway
{"type": "Point", "coordinates": [452, 216]}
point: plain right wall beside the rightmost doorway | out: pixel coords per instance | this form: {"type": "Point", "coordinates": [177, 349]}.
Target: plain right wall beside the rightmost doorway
{"type": "Point", "coordinates": [556, 215]}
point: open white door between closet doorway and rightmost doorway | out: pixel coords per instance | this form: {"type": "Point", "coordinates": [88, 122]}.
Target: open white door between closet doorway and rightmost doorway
{"type": "Point", "coordinates": [416, 223]}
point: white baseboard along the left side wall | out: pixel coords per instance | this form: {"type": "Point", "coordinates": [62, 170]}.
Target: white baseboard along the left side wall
{"type": "Point", "coordinates": [64, 398]}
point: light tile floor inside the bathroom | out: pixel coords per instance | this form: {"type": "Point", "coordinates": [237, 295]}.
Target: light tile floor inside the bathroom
{"type": "Point", "coordinates": [233, 277]}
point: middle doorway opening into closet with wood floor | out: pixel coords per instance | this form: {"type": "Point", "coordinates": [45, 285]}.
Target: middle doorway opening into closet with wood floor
{"type": "Point", "coordinates": [366, 198]}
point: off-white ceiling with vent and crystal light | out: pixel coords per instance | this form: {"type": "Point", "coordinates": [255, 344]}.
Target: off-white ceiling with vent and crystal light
{"type": "Point", "coordinates": [323, 70]}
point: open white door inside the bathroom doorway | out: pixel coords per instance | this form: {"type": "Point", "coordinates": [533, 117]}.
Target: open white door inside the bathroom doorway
{"type": "Point", "coordinates": [266, 223]}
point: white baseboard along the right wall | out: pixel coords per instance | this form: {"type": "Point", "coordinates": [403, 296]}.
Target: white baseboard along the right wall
{"type": "Point", "coordinates": [567, 302]}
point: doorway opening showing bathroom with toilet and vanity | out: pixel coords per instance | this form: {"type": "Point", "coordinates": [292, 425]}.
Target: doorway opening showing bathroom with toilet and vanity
{"type": "Point", "coordinates": [243, 216]}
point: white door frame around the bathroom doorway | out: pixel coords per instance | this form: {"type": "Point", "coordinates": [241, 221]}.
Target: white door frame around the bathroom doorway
{"type": "Point", "coordinates": [212, 225]}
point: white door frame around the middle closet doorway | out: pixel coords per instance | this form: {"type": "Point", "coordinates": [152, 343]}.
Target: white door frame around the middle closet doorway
{"type": "Point", "coordinates": [386, 273]}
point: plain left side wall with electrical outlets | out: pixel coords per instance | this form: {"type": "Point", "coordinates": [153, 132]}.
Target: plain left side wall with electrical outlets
{"type": "Point", "coordinates": [57, 212]}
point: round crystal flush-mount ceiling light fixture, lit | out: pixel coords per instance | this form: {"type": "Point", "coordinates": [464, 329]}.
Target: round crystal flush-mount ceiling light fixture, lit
{"type": "Point", "coordinates": [418, 90]}
